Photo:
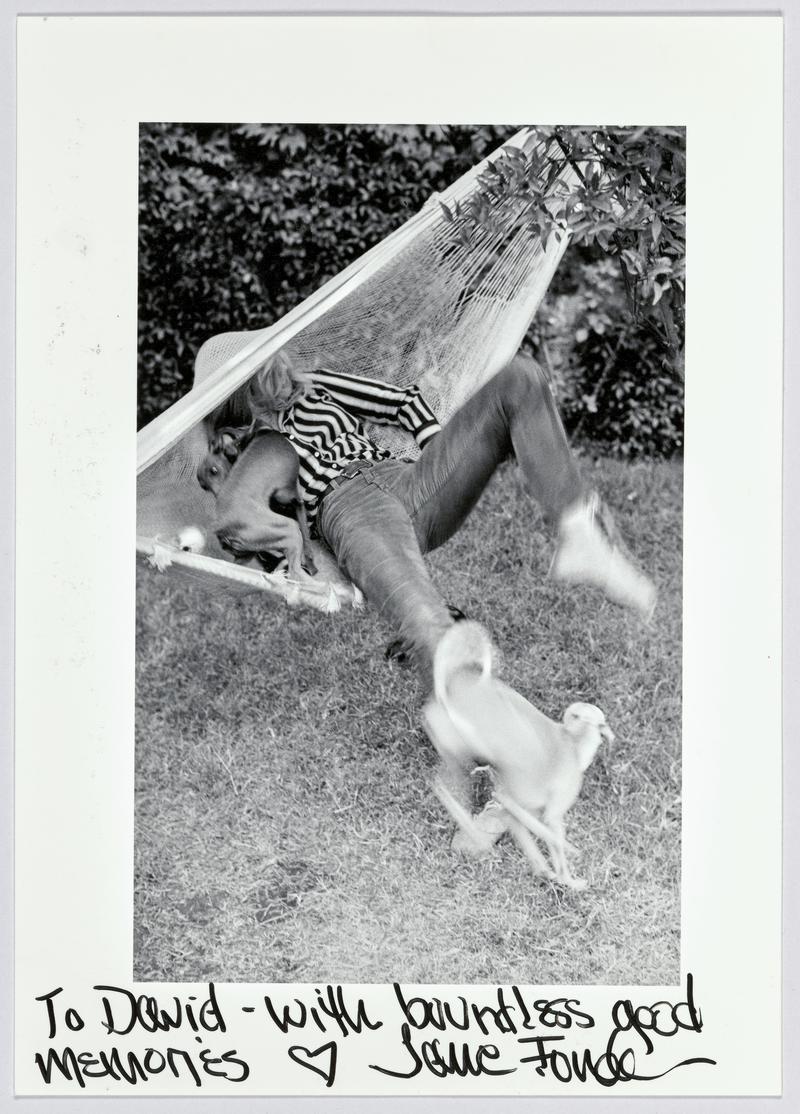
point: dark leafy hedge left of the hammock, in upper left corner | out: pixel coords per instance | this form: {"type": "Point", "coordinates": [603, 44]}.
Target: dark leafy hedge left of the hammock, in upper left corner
{"type": "Point", "coordinates": [239, 224]}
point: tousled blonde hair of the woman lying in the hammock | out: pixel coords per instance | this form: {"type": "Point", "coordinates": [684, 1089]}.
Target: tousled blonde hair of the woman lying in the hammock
{"type": "Point", "coordinates": [276, 387]}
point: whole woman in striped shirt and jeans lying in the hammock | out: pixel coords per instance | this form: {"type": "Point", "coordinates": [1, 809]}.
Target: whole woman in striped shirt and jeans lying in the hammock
{"type": "Point", "coordinates": [381, 515]}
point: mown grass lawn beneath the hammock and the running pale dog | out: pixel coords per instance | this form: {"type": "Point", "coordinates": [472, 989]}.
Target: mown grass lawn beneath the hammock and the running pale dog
{"type": "Point", "coordinates": [286, 830]}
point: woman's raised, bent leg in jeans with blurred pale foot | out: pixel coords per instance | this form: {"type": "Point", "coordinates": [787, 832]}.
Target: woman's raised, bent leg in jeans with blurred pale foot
{"type": "Point", "coordinates": [515, 414]}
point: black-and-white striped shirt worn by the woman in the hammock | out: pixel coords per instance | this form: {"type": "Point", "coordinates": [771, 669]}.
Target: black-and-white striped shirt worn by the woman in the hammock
{"type": "Point", "coordinates": [327, 432]}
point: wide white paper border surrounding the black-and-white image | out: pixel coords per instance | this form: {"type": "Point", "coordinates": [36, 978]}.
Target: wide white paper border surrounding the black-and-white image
{"type": "Point", "coordinates": [85, 84]}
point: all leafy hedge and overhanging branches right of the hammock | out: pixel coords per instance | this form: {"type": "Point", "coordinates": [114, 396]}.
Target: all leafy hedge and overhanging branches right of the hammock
{"type": "Point", "coordinates": [612, 330]}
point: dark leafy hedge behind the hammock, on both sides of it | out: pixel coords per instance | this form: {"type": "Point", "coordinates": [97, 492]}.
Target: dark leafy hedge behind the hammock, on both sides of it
{"type": "Point", "coordinates": [239, 223]}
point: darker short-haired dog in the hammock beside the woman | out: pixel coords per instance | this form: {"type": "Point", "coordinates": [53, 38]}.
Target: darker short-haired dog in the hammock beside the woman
{"type": "Point", "coordinates": [260, 509]}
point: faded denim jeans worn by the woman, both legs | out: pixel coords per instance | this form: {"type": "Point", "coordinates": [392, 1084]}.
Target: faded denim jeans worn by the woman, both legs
{"type": "Point", "coordinates": [382, 522]}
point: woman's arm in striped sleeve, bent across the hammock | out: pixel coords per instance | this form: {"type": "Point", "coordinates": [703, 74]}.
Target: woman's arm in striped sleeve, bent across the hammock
{"type": "Point", "coordinates": [382, 403]}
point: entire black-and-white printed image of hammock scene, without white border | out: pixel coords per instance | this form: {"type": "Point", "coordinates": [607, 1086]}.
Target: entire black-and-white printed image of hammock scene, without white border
{"type": "Point", "coordinates": [409, 661]}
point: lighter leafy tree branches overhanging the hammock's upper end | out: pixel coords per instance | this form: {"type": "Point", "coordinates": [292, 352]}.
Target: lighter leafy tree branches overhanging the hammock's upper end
{"type": "Point", "coordinates": [630, 203]}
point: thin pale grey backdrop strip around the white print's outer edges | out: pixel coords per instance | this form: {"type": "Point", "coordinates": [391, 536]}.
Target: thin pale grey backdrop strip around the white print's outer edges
{"type": "Point", "coordinates": [9, 9]}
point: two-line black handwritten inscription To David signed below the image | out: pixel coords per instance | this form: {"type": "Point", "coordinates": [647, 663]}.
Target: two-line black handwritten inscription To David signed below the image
{"type": "Point", "coordinates": [558, 1040]}
